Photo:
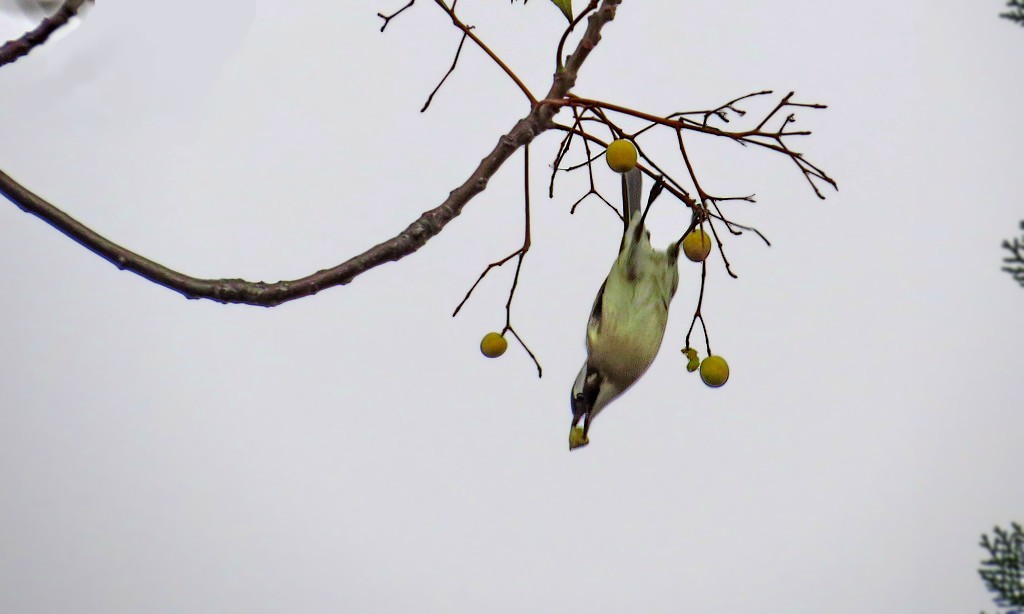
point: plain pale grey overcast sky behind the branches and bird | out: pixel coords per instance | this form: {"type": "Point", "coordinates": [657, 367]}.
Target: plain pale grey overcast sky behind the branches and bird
{"type": "Point", "coordinates": [354, 453]}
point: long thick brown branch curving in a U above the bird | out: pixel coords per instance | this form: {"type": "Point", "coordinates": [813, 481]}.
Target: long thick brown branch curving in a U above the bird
{"type": "Point", "coordinates": [408, 242]}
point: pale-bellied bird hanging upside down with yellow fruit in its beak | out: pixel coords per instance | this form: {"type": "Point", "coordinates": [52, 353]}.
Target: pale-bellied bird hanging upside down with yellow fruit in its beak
{"type": "Point", "coordinates": [628, 320]}
